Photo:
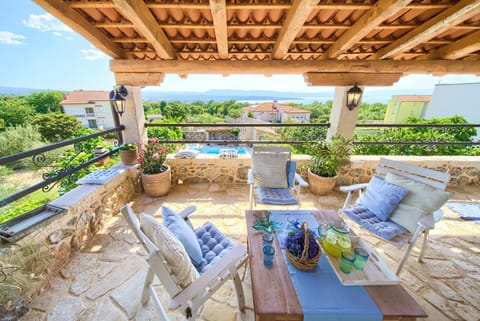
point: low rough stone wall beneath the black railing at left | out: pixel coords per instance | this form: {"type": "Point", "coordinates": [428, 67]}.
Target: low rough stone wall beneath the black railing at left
{"type": "Point", "coordinates": [87, 208]}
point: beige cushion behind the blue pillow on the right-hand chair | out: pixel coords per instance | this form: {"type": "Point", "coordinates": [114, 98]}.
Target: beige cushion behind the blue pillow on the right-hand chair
{"type": "Point", "coordinates": [421, 200]}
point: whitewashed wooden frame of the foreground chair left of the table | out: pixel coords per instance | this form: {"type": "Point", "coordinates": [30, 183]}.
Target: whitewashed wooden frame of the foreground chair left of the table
{"type": "Point", "coordinates": [189, 299]}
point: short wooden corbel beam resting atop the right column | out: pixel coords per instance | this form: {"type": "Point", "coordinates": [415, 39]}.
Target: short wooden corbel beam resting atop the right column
{"type": "Point", "coordinates": [350, 78]}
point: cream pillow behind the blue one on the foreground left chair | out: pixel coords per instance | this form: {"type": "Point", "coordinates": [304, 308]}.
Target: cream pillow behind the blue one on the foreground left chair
{"type": "Point", "coordinates": [177, 258]}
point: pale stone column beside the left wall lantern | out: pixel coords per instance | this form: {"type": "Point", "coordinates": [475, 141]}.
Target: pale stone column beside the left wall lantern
{"type": "Point", "coordinates": [134, 118]}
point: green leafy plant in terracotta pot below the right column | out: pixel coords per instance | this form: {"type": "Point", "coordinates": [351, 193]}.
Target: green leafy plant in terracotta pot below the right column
{"type": "Point", "coordinates": [327, 158]}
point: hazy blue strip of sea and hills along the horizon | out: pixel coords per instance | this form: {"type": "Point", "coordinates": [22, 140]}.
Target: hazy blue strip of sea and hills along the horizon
{"type": "Point", "coordinates": [371, 95]}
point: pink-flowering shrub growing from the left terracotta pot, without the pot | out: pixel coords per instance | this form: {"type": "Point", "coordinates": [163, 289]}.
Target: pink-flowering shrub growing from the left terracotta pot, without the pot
{"type": "Point", "coordinates": [152, 156]}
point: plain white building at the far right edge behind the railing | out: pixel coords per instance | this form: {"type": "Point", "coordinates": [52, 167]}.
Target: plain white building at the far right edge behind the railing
{"type": "Point", "coordinates": [456, 99]}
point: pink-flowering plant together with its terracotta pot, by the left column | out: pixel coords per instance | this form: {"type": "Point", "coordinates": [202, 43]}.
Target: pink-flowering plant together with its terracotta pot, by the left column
{"type": "Point", "coordinates": [155, 174]}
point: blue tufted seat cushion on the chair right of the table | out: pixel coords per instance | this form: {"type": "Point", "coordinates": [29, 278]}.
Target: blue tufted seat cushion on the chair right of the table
{"type": "Point", "coordinates": [385, 229]}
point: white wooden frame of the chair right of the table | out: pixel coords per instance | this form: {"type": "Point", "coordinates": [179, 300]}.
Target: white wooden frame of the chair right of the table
{"type": "Point", "coordinates": [435, 179]}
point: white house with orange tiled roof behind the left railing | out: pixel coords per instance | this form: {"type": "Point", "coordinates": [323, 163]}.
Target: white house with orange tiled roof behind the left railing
{"type": "Point", "coordinates": [91, 107]}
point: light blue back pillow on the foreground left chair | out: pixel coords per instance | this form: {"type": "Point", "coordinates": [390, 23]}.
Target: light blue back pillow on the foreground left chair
{"type": "Point", "coordinates": [184, 233]}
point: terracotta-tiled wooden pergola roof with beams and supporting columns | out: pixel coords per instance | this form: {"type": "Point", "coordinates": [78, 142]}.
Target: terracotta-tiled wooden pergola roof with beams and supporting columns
{"type": "Point", "coordinates": [331, 42]}
